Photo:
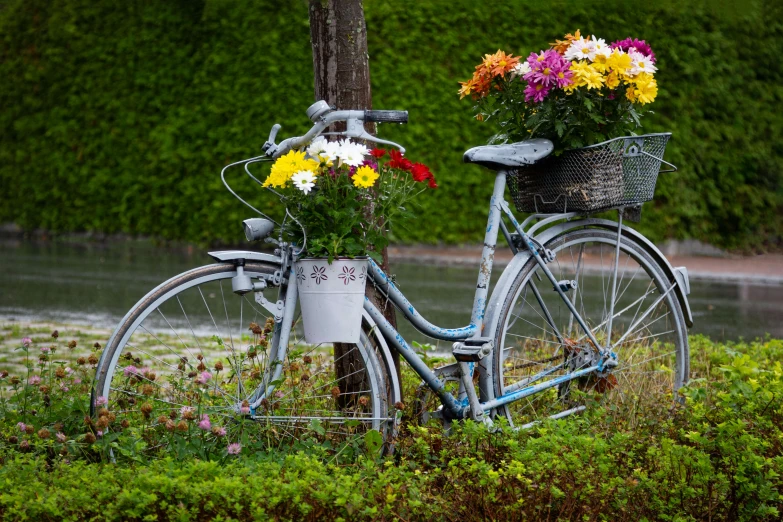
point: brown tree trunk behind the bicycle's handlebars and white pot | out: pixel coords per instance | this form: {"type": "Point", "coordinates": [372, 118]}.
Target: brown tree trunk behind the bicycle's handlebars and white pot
{"type": "Point", "coordinates": [342, 77]}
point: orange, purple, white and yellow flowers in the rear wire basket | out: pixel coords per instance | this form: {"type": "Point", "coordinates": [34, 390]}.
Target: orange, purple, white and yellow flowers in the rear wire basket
{"type": "Point", "coordinates": [578, 92]}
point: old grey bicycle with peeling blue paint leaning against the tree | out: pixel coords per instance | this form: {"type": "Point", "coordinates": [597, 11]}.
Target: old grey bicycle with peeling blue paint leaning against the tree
{"type": "Point", "coordinates": [536, 347]}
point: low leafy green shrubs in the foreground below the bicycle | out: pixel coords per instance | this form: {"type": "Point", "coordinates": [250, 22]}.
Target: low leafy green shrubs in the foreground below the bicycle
{"type": "Point", "coordinates": [720, 457]}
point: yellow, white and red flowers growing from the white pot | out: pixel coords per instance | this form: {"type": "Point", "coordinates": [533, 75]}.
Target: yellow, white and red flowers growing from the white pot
{"type": "Point", "coordinates": [344, 197]}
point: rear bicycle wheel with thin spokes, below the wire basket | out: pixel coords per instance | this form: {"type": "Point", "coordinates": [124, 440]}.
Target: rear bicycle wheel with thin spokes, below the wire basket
{"type": "Point", "coordinates": [538, 339]}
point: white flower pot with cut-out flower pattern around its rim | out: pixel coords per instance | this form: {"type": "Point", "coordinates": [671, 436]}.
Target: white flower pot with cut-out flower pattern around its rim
{"type": "Point", "coordinates": [332, 298]}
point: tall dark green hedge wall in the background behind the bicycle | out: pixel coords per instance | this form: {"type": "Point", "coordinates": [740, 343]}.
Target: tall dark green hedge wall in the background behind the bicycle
{"type": "Point", "coordinates": [117, 116]}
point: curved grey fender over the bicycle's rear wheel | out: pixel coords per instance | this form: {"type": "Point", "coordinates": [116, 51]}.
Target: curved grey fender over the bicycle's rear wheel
{"type": "Point", "coordinates": [503, 286]}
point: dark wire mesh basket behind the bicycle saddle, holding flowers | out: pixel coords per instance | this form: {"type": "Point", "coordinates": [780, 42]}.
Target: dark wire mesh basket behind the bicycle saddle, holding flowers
{"type": "Point", "coordinates": [616, 173]}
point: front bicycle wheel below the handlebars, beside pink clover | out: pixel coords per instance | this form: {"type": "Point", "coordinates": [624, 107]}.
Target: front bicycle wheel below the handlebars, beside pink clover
{"type": "Point", "coordinates": [193, 350]}
